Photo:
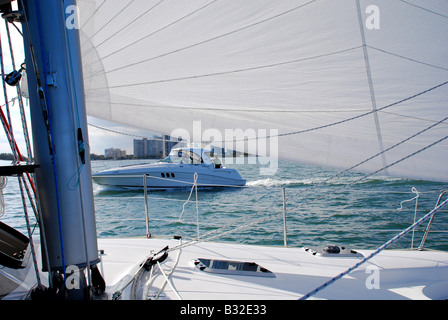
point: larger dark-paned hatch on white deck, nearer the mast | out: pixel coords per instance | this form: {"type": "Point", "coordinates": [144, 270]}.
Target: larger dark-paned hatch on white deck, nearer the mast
{"type": "Point", "coordinates": [241, 268]}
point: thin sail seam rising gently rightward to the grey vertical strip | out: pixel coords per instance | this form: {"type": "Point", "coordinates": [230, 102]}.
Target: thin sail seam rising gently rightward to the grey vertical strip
{"type": "Point", "coordinates": [277, 64]}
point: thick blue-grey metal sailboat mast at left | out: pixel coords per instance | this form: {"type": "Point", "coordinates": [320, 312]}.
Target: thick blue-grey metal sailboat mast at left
{"type": "Point", "coordinates": [59, 127]}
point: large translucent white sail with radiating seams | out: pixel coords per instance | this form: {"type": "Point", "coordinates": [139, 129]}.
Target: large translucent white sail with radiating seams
{"type": "Point", "coordinates": [333, 82]}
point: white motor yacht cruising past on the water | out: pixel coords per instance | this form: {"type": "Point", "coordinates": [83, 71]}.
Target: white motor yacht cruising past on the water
{"type": "Point", "coordinates": [180, 169]}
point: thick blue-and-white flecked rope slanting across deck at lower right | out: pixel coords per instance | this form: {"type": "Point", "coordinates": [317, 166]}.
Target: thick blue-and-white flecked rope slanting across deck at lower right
{"type": "Point", "coordinates": [377, 251]}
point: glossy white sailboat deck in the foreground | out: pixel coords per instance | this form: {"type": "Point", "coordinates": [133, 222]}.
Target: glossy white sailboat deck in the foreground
{"type": "Point", "coordinates": [389, 275]}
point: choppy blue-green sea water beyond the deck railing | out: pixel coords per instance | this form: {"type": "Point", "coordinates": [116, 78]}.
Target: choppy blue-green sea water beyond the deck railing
{"type": "Point", "coordinates": [347, 210]}
